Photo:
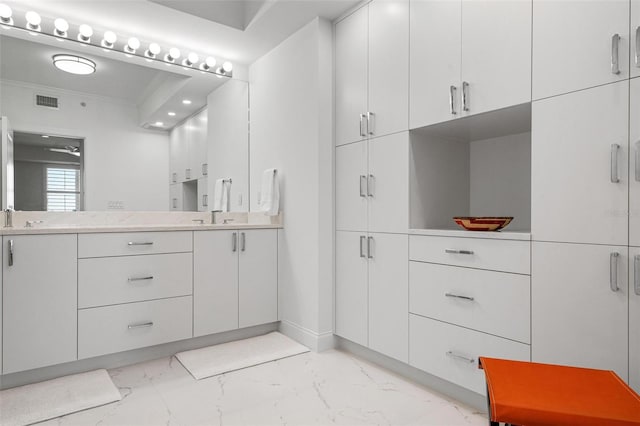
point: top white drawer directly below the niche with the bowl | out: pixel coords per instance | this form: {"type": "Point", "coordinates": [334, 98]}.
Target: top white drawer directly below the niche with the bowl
{"type": "Point", "coordinates": [496, 255]}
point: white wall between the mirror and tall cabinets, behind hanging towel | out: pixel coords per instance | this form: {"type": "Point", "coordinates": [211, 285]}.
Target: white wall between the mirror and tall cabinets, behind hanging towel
{"type": "Point", "coordinates": [291, 130]}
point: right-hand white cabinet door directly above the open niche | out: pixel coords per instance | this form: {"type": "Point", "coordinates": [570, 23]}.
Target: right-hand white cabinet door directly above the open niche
{"type": "Point", "coordinates": [496, 53]}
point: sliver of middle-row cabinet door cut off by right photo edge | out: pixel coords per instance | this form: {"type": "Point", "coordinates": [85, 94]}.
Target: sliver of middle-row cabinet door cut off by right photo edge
{"type": "Point", "coordinates": [634, 163]}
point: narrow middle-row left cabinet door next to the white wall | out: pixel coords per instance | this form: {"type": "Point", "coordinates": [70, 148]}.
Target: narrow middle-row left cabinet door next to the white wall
{"type": "Point", "coordinates": [351, 187]}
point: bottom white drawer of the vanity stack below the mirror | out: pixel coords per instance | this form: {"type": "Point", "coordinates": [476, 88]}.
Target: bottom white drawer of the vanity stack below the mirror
{"type": "Point", "coordinates": [119, 328]}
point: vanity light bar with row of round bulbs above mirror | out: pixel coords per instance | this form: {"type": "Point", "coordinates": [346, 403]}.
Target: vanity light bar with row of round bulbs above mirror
{"type": "Point", "coordinates": [130, 47]}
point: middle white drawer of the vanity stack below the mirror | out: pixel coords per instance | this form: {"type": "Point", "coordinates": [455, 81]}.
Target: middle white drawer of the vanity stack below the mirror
{"type": "Point", "coordinates": [111, 280]}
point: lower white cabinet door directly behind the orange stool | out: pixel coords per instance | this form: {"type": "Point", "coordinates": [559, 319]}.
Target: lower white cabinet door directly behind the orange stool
{"type": "Point", "coordinates": [576, 317]}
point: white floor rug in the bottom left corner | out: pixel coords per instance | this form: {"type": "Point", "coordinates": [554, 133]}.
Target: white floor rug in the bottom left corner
{"type": "Point", "coordinates": [37, 402]}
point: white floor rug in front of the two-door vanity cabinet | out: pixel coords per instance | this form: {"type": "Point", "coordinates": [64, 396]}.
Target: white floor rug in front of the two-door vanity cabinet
{"type": "Point", "coordinates": [218, 359]}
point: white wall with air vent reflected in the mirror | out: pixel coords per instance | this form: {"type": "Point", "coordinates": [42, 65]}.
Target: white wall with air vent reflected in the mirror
{"type": "Point", "coordinates": [123, 162]}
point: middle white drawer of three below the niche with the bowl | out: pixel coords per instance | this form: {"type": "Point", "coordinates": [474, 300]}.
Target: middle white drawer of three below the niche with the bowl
{"type": "Point", "coordinates": [493, 302]}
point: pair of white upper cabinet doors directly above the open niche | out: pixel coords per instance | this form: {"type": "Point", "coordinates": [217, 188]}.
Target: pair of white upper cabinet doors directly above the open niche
{"type": "Point", "coordinates": [468, 57]}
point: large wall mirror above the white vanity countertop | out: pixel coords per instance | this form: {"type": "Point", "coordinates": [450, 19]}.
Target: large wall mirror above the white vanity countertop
{"type": "Point", "coordinates": [130, 136]}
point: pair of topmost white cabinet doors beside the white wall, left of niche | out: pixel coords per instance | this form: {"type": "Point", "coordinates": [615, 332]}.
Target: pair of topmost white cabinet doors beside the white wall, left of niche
{"type": "Point", "coordinates": [372, 51]}
